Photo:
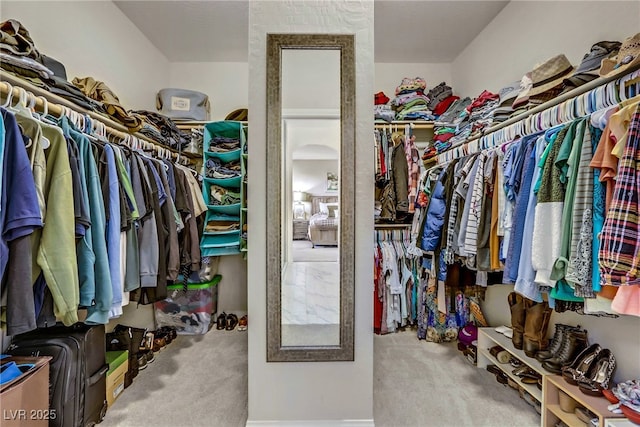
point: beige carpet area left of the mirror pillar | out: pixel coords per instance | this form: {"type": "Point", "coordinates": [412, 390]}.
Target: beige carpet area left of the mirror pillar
{"type": "Point", "coordinates": [194, 381]}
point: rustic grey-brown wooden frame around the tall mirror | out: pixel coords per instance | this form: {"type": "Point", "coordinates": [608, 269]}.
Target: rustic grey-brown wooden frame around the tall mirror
{"type": "Point", "coordinates": [276, 43]}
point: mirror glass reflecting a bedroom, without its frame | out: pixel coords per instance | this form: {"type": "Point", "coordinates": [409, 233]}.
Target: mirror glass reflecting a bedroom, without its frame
{"type": "Point", "coordinates": [310, 211]}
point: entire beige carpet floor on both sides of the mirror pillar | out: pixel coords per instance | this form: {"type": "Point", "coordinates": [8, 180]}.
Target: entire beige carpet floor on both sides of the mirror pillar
{"type": "Point", "coordinates": [202, 381]}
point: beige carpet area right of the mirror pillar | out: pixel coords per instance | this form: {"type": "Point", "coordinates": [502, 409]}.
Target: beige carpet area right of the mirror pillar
{"type": "Point", "coordinates": [418, 383]}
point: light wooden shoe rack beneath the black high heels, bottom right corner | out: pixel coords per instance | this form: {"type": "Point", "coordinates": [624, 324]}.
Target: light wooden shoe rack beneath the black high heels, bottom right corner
{"type": "Point", "coordinates": [552, 413]}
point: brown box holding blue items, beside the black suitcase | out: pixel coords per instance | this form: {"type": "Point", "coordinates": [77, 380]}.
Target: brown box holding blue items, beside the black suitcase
{"type": "Point", "coordinates": [24, 401]}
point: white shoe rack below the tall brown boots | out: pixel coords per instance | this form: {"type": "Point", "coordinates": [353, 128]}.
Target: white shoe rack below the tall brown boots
{"type": "Point", "coordinates": [487, 338]}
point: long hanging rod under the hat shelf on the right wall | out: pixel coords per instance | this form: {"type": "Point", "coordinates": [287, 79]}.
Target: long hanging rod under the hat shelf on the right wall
{"type": "Point", "coordinates": [574, 93]}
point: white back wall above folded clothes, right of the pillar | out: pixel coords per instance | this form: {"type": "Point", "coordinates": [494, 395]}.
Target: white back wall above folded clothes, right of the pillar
{"type": "Point", "coordinates": [388, 76]}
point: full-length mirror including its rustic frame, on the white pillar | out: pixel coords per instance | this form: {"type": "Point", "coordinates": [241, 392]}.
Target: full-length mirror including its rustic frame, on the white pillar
{"type": "Point", "coordinates": [311, 174]}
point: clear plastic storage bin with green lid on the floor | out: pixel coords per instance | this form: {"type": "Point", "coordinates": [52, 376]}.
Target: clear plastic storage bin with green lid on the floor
{"type": "Point", "coordinates": [189, 308]}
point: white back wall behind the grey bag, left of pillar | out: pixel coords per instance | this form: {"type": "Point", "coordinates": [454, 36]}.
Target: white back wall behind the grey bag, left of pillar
{"type": "Point", "coordinates": [226, 83]}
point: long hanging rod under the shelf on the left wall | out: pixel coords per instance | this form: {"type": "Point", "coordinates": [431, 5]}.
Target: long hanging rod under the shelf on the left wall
{"type": "Point", "coordinates": [56, 104]}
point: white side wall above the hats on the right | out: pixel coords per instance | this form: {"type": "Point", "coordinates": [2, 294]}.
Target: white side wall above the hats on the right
{"type": "Point", "coordinates": [526, 33]}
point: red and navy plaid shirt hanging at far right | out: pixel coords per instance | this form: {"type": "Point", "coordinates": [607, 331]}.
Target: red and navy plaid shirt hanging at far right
{"type": "Point", "coordinates": [619, 256]}
